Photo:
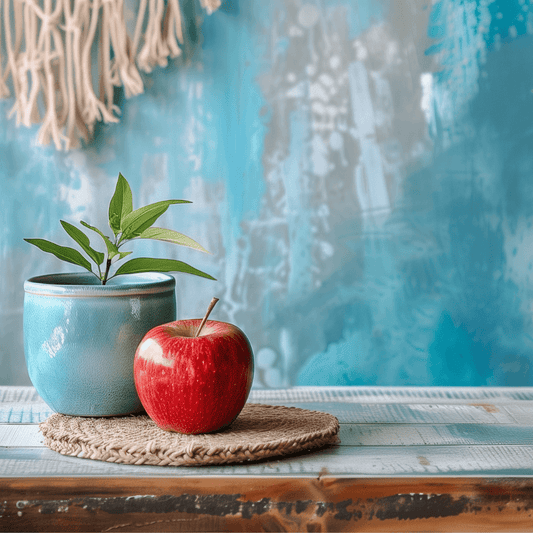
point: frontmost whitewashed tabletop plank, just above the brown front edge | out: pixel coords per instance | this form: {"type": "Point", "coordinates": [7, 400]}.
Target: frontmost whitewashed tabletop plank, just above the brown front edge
{"type": "Point", "coordinates": [364, 461]}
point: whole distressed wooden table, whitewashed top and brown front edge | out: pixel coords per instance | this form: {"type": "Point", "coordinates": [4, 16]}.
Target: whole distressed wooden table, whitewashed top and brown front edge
{"type": "Point", "coordinates": [410, 459]}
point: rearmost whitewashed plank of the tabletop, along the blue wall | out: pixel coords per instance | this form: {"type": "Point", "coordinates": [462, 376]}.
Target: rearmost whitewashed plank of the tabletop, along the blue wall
{"type": "Point", "coordinates": [23, 405]}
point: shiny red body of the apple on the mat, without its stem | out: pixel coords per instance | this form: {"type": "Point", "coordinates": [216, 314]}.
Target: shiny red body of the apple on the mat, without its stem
{"type": "Point", "coordinates": [192, 384]}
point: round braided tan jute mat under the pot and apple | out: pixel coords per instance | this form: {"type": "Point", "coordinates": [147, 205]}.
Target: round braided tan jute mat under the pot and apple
{"type": "Point", "coordinates": [259, 432]}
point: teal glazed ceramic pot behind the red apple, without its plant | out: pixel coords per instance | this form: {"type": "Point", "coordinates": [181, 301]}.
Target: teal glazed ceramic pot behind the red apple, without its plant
{"type": "Point", "coordinates": [80, 338]}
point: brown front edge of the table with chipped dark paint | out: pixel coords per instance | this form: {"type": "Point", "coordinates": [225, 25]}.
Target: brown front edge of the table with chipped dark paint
{"type": "Point", "coordinates": [291, 504]}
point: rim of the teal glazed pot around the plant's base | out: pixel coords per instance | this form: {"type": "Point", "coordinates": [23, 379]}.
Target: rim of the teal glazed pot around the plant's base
{"type": "Point", "coordinates": [86, 285]}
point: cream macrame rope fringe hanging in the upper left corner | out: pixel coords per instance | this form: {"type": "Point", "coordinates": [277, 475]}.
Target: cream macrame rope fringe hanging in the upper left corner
{"type": "Point", "coordinates": [47, 51]}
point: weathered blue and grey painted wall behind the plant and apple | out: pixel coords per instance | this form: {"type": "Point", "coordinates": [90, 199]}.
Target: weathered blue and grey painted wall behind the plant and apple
{"type": "Point", "coordinates": [360, 169]}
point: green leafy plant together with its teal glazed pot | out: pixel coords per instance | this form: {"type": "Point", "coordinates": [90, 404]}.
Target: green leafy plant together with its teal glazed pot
{"type": "Point", "coordinates": [81, 330]}
